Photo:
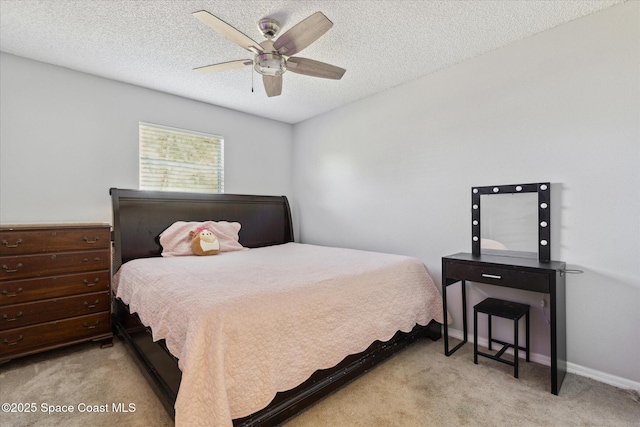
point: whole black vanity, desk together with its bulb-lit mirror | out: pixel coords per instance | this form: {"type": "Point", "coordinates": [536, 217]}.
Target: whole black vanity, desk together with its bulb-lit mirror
{"type": "Point", "coordinates": [516, 220]}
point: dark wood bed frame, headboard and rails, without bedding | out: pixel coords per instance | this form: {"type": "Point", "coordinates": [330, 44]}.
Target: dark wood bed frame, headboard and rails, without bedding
{"type": "Point", "coordinates": [138, 219]}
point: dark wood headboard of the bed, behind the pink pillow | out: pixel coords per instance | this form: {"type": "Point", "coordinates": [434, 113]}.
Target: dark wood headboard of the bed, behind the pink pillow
{"type": "Point", "coordinates": [140, 216]}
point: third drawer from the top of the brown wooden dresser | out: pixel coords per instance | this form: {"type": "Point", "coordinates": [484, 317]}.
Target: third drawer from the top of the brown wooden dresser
{"type": "Point", "coordinates": [27, 290]}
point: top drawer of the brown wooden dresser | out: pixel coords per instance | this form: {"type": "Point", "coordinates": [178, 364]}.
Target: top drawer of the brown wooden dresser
{"type": "Point", "coordinates": [29, 241]}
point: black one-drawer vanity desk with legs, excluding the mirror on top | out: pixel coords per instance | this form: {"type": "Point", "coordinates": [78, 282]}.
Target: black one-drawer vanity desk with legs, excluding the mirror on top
{"type": "Point", "coordinates": [520, 273]}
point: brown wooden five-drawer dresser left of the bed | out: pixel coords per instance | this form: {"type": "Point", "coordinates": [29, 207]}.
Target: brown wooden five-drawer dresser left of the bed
{"type": "Point", "coordinates": [54, 287]}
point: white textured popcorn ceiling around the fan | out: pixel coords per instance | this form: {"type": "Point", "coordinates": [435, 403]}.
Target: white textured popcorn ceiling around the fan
{"type": "Point", "coordinates": [382, 44]}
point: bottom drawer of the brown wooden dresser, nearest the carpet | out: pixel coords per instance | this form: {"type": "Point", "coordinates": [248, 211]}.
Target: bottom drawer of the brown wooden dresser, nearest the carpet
{"type": "Point", "coordinates": [22, 340]}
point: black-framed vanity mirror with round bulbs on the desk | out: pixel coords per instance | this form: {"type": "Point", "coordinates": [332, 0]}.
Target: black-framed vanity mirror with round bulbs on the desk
{"type": "Point", "coordinates": [512, 220]}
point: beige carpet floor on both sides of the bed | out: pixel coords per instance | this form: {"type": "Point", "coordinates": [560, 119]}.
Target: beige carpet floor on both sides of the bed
{"type": "Point", "coordinates": [418, 387]}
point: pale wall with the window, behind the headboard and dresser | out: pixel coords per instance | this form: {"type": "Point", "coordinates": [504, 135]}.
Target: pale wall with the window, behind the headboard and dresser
{"type": "Point", "coordinates": [66, 137]}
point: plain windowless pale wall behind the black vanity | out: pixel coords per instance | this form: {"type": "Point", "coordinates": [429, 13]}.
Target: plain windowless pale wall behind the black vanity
{"type": "Point", "coordinates": [393, 172]}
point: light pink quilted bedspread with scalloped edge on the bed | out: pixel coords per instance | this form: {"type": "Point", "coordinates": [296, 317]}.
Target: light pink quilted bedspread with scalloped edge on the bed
{"type": "Point", "coordinates": [248, 324]}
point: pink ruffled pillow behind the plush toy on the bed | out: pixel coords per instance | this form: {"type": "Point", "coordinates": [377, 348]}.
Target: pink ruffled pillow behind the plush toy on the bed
{"type": "Point", "coordinates": [175, 240]}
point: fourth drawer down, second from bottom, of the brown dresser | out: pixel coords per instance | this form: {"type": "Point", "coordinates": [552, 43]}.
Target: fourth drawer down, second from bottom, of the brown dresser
{"type": "Point", "coordinates": [31, 313]}
